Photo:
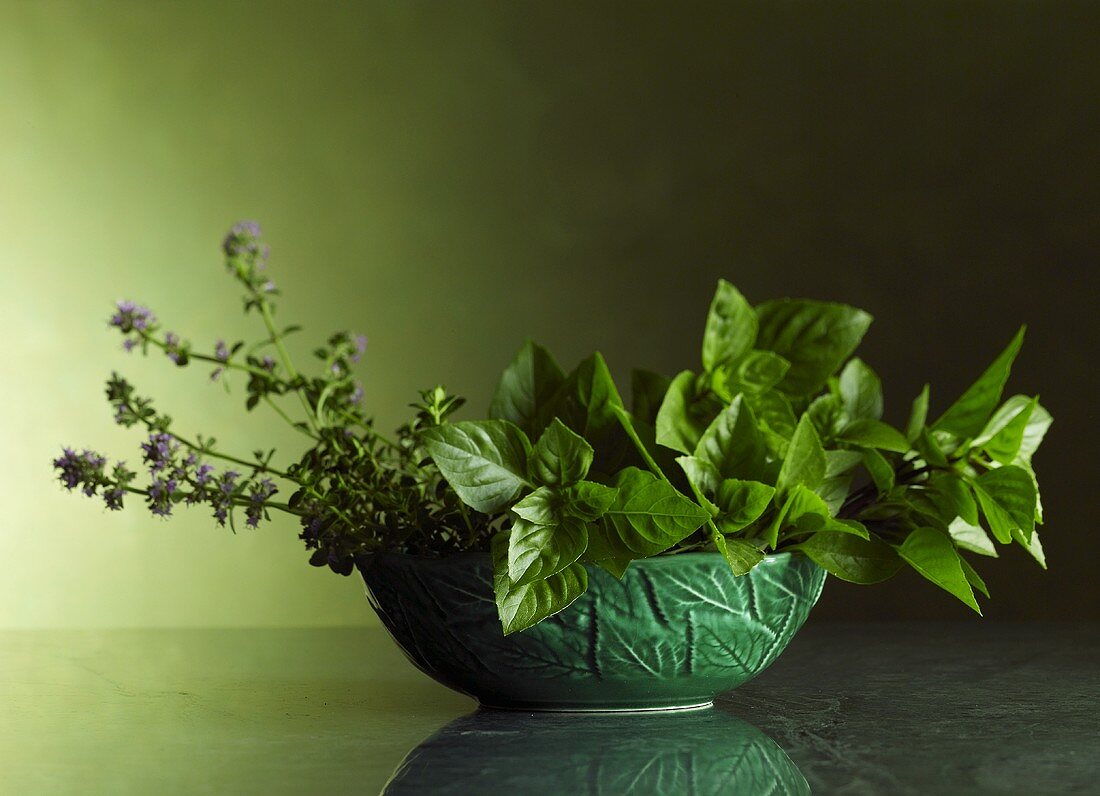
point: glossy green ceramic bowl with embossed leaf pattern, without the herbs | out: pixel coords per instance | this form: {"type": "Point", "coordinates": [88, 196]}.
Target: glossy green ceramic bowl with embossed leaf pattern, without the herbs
{"type": "Point", "coordinates": [675, 633]}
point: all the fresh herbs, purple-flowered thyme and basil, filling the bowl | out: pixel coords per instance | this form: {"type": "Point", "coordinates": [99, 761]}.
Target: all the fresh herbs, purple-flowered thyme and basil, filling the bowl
{"type": "Point", "coordinates": [777, 445]}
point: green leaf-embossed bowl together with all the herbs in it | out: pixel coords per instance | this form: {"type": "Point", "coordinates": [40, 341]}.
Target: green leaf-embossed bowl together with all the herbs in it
{"type": "Point", "coordinates": [654, 557]}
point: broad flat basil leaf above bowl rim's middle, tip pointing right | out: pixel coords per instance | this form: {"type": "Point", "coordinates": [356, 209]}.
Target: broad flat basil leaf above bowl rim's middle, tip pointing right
{"type": "Point", "coordinates": [650, 516]}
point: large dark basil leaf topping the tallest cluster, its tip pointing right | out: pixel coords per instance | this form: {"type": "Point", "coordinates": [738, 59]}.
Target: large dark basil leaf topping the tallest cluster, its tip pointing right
{"type": "Point", "coordinates": [815, 337]}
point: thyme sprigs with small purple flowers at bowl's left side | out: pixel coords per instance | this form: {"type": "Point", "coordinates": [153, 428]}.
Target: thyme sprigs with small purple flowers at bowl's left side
{"type": "Point", "coordinates": [355, 491]}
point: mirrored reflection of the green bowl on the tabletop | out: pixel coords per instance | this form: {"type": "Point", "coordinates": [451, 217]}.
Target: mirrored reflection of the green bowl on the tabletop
{"type": "Point", "coordinates": [676, 753]}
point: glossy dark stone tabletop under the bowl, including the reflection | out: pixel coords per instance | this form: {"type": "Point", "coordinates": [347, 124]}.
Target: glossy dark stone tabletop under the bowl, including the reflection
{"type": "Point", "coordinates": [964, 709]}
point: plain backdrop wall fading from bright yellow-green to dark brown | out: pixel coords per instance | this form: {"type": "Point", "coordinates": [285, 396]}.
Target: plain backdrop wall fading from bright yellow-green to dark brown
{"type": "Point", "coordinates": [455, 178]}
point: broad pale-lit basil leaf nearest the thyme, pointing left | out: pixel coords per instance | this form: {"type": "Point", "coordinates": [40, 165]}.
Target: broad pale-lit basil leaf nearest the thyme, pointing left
{"type": "Point", "coordinates": [485, 461]}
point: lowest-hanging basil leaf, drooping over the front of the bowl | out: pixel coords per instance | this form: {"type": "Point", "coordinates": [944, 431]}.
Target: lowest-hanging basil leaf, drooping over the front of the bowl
{"type": "Point", "coordinates": [520, 607]}
